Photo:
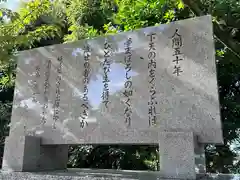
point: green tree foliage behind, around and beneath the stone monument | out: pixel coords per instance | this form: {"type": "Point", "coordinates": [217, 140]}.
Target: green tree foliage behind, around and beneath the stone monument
{"type": "Point", "coordinates": [43, 22]}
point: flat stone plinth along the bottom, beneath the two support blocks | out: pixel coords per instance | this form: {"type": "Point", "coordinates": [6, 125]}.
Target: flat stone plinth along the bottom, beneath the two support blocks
{"type": "Point", "coordinates": [89, 174]}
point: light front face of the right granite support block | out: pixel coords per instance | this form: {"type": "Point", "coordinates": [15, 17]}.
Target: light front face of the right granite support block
{"type": "Point", "coordinates": [177, 155]}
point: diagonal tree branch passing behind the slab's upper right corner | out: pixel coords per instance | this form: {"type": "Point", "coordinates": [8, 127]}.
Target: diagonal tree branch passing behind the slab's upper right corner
{"type": "Point", "coordinates": [222, 35]}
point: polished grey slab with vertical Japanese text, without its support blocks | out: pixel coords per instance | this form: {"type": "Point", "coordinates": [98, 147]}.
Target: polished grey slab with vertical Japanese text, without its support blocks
{"type": "Point", "coordinates": [185, 103]}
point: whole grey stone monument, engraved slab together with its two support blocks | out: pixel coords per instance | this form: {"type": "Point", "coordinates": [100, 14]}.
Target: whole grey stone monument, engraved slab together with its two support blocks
{"type": "Point", "coordinates": [155, 85]}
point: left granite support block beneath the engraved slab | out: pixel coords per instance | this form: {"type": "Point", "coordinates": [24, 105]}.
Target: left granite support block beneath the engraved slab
{"type": "Point", "coordinates": [26, 153]}
